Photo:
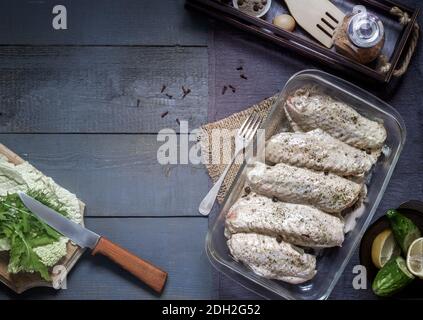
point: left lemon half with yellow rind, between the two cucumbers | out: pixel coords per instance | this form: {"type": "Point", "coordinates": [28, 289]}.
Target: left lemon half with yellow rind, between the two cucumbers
{"type": "Point", "coordinates": [384, 248]}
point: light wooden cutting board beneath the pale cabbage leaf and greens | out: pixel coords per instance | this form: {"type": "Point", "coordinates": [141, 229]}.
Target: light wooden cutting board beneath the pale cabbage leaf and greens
{"type": "Point", "coordinates": [24, 281]}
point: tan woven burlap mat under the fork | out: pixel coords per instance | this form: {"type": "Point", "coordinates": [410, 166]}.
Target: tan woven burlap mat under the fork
{"type": "Point", "coordinates": [231, 123]}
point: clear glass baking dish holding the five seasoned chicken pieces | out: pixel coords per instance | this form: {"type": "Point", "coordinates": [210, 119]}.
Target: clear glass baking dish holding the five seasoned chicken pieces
{"type": "Point", "coordinates": [330, 262]}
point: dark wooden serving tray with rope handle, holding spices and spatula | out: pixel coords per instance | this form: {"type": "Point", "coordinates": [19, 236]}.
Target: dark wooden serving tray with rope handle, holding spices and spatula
{"type": "Point", "coordinates": [399, 44]}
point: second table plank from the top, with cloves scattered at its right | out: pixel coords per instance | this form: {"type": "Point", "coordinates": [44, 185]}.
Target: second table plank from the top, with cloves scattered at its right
{"type": "Point", "coordinates": [101, 89]}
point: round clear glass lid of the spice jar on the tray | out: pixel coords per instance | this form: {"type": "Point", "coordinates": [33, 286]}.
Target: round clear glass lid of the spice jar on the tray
{"type": "Point", "coordinates": [365, 30]}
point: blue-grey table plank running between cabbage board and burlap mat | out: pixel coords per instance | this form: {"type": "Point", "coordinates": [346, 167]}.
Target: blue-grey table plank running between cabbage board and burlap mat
{"type": "Point", "coordinates": [115, 175]}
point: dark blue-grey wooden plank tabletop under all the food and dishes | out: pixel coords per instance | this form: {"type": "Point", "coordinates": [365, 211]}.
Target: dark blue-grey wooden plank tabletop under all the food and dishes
{"type": "Point", "coordinates": [84, 105]}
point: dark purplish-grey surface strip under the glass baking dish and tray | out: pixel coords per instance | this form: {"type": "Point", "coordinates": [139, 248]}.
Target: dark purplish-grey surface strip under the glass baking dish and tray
{"type": "Point", "coordinates": [267, 69]}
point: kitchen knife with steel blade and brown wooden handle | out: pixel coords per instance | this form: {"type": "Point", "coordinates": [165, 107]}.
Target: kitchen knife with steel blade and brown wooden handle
{"type": "Point", "coordinates": [152, 276]}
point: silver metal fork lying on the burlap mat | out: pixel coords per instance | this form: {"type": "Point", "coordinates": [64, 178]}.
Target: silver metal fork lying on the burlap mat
{"type": "Point", "coordinates": [242, 139]}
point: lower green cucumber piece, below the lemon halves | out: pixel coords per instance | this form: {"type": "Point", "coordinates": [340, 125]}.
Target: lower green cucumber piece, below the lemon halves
{"type": "Point", "coordinates": [393, 277]}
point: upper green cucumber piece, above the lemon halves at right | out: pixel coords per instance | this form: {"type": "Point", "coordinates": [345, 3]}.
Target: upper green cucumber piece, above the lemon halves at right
{"type": "Point", "coordinates": [405, 231]}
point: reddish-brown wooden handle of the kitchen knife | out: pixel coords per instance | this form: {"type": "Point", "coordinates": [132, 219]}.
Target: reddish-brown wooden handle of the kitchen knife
{"type": "Point", "coordinates": [152, 276]}
